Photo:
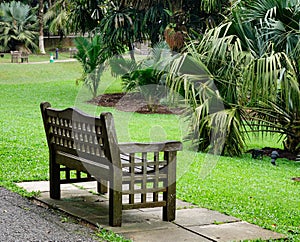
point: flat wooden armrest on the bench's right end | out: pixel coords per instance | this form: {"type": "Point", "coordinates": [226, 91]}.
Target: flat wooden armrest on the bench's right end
{"type": "Point", "coordinates": [134, 147]}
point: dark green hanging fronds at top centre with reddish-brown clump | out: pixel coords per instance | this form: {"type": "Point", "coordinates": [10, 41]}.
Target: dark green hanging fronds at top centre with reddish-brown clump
{"type": "Point", "coordinates": [126, 22]}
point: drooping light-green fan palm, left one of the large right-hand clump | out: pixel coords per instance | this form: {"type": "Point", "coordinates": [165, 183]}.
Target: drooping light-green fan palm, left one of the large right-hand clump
{"type": "Point", "coordinates": [208, 75]}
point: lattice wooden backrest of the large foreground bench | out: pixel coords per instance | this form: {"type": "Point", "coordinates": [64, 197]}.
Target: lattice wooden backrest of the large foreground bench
{"type": "Point", "coordinates": [83, 136]}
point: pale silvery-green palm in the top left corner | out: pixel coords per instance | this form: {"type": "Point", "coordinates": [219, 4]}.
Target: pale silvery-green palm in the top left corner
{"type": "Point", "coordinates": [18, 26]}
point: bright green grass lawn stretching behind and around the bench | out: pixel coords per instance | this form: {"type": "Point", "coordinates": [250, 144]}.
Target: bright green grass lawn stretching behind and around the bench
{"type": "Point", "coordinates": [252, 190]}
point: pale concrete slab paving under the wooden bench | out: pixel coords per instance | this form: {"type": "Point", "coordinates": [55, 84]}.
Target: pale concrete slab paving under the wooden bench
{"type": "Point", "coordinates": [142, 225]}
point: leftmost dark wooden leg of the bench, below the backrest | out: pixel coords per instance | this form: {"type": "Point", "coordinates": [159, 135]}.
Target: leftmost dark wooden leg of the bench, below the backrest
{"type": "Point", "coordinates": [54, 178]}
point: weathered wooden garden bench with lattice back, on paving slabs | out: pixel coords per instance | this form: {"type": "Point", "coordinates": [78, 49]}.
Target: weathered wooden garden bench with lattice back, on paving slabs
{"type": "Point", "coordinates": [84, 148]}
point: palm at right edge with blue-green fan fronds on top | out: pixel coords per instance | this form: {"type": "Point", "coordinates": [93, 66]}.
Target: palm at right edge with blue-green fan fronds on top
{"type": "Point", "coordinates": [278, 70]}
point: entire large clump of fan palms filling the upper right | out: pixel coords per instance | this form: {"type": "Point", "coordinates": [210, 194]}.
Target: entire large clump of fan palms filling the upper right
{"type": "Point", "coordinates": [253, 61]}
